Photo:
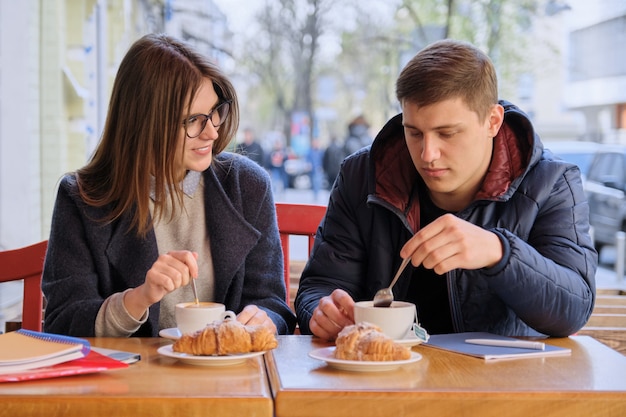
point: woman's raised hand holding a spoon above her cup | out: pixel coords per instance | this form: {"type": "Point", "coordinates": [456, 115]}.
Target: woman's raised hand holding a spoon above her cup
{"type": "Point", "coordinates": [170, 271]}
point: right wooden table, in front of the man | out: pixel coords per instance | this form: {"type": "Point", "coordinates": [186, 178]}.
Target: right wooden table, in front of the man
{"type": "Point", "coordinates": [589, 382]}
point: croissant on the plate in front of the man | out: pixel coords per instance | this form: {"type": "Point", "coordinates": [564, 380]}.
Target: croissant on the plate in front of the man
{"type": "Point", "coordinates": [366, 342]}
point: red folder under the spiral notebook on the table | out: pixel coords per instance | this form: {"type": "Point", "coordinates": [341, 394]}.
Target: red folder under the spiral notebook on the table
{"type": "Point", "coordinates": [93, 362]}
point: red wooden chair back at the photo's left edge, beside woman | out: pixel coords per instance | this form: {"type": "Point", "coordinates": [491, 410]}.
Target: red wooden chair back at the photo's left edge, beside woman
{"type": "Point", "coordinates": [26, 264]}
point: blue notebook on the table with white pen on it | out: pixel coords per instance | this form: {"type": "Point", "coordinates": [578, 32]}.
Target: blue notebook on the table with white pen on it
{"type": "Point", "coordinates": [456, 342]}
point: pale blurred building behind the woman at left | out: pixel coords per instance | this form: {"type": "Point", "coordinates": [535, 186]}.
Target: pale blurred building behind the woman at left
{"type": "Point", "coordinates": [58, 60]}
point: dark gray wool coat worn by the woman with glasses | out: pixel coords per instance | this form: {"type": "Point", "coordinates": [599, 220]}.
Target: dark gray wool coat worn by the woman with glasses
{"type": "Point", "coordinates": [88, 260]}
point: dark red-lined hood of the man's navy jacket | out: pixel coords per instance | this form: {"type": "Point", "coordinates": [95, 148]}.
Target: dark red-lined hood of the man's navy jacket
{"type": "Point", "coordinates": [393, 175]}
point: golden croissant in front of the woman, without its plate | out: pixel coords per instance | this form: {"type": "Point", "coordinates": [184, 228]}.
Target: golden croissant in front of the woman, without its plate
{"type": "Point", "coordinates": [226, 337]}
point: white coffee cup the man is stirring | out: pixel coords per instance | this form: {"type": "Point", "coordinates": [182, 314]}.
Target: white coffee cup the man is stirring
{"type": "Point", "coordinates": [395, 320]}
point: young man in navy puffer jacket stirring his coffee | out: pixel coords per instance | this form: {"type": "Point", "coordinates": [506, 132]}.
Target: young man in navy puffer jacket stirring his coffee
{"type": "Point", "coordinates": [497, 230]}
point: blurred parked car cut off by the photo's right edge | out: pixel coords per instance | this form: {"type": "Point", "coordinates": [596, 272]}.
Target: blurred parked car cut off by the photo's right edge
{"type": "Point", "coordinates": [606, 192]}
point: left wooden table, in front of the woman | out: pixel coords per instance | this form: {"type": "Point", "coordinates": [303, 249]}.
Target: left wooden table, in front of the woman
{"type": "Point", "coordinates": [154, 386]}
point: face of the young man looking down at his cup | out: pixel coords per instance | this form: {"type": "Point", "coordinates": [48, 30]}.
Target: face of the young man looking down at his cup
{"type": "Point", "coordinates": [450, 148]}
